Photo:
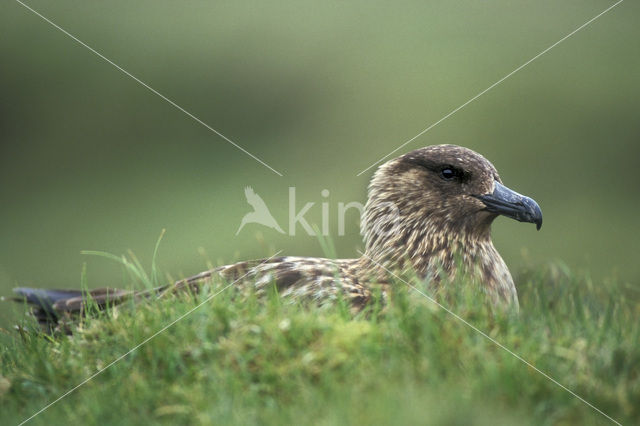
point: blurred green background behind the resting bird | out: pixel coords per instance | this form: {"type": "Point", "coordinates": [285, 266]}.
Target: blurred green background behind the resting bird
{"type": "Point", "coordinates": [89, 159]}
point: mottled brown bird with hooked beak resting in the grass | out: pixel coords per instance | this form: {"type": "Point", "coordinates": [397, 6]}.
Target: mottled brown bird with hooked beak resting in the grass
{"type": "Point", "coordinates": [428, 211]}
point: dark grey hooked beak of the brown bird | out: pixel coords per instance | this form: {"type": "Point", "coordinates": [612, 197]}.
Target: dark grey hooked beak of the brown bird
{"type": "Point", "coordinates": [509, 203]}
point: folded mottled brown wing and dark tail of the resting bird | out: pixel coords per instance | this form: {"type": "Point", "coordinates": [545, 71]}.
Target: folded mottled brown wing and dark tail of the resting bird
{"type": "Point", "coordinates": [313, 279]}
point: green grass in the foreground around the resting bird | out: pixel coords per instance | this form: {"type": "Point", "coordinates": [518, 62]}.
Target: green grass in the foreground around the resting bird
{"type": "Point", "coordinates": [239, 359]}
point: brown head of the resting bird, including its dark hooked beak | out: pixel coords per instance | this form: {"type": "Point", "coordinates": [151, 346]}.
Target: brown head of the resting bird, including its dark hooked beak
{"type": "Point", "coordinates": [439, 193]}
